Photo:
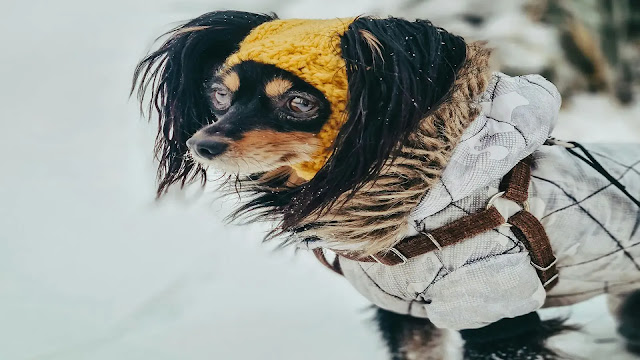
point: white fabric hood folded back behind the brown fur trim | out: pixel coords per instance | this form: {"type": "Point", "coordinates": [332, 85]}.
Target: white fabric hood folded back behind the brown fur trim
{"type": "Point", "coordinates": [518, 115]}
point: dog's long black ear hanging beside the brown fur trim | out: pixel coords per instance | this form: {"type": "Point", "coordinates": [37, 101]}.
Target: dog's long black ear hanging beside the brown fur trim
{"type": "Point", "coordinates": [398, 73]}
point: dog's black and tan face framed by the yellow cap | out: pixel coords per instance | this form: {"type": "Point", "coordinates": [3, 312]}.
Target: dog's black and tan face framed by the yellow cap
{"type": "Point", "coordinates": [265, 118]}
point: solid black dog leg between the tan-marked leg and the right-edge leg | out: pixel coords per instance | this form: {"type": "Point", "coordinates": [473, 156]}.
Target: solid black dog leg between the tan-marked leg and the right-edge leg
{"type": "Point", "coordinates": [521, 338]}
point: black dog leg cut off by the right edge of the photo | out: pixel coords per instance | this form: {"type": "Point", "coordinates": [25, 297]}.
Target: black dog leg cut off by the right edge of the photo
{"type": "Point", "coordinates": [627, 309]}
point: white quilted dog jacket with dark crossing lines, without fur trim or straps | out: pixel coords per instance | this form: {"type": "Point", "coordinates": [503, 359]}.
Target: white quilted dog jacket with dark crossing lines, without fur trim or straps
{"type": "Point", "coordinates": [594, 229]}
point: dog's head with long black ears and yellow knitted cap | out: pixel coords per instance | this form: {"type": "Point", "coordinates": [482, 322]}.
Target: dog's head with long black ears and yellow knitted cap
{"type": "Point", "coordinates": [331, 99]}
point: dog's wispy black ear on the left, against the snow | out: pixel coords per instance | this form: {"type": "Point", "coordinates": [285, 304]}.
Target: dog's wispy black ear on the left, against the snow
{"type": "Point", "coordinates": [174, 76]}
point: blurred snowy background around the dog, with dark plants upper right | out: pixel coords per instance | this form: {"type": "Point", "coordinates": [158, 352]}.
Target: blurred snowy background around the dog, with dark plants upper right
{"type": "Point", "coordinates": [92, 267]}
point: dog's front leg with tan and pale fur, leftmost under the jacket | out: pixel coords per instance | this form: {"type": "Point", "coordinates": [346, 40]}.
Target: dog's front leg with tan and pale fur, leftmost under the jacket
{"type": "Point", "coordinates": [410, 338]}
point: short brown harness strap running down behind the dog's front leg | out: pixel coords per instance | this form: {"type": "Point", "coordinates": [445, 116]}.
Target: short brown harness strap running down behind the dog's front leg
{"type": "Point", "coordinates": [529, 230]}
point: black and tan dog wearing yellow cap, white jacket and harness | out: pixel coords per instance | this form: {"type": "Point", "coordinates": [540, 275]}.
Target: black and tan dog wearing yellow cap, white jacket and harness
{"type": "Point", "coordinates": [345, 131]}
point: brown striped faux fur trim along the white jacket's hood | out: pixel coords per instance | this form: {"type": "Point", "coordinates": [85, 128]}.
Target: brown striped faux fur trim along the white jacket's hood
{"type": "Point", "coordinates": [376, 218]}
